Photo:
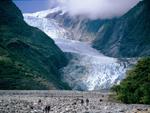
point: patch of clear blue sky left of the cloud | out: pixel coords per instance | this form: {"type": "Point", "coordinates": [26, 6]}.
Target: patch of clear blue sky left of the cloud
{"type": "Point", "coordinates": [28, 6]}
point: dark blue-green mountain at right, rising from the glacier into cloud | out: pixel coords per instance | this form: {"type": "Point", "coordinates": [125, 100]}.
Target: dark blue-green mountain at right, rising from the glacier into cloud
{"type": "Point", "coordinates": [127, 36]}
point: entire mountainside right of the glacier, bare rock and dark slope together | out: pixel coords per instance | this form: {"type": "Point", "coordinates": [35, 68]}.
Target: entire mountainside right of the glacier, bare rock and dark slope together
{"type": "Point", "coordinates": [126, 36]}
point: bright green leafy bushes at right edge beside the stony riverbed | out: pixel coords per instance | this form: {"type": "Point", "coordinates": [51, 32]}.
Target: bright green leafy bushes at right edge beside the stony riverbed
{"type": "Point", "coordinates": [136, 87]}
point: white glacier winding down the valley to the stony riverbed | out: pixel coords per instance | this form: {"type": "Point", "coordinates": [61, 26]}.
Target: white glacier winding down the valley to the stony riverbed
{"type": "Point", "coordinates": [88, 69]}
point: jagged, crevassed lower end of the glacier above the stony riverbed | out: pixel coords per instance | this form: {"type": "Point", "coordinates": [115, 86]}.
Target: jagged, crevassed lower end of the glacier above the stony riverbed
{"type": "Point", "coordinates": [94, 73]}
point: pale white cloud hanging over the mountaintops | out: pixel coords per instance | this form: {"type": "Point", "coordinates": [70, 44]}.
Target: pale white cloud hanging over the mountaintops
{"type": "Point", "coordinates": [103, 9]}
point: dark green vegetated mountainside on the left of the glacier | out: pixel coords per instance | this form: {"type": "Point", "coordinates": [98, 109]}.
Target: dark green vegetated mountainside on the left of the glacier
{"type": "Point", "coordinates": [29, 59]}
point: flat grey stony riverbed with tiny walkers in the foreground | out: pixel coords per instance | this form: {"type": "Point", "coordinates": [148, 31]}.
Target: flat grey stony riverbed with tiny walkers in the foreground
{"type": "Point", "coordinates": [63, 102]}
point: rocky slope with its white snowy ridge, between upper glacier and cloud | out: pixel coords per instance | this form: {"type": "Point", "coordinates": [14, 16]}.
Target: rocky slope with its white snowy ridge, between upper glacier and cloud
{"type": "Point", "coordinates": [79, 28]}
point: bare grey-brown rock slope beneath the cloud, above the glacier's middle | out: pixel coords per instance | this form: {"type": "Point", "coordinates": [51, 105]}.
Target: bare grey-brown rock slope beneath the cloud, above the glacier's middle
{"type": "Point", "coordinates": [82, 29]}
